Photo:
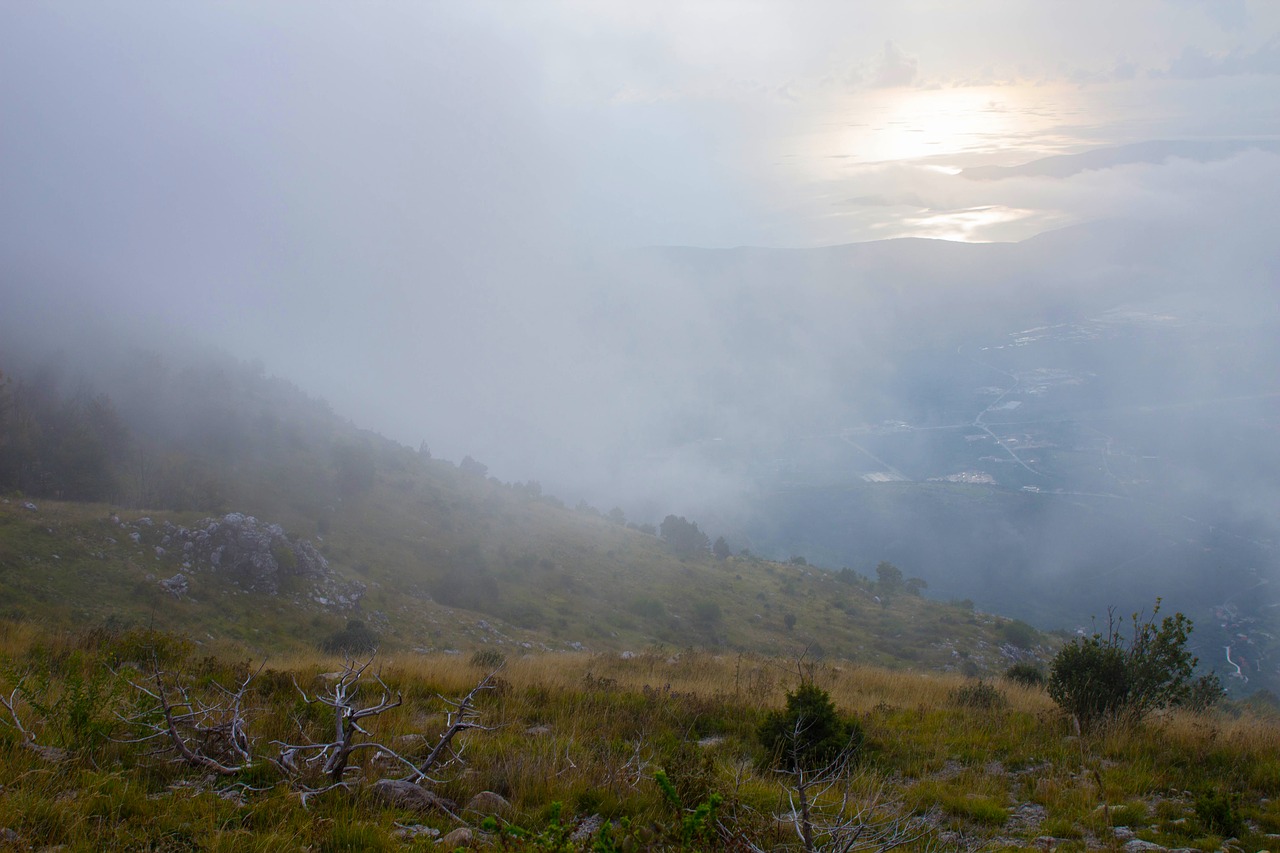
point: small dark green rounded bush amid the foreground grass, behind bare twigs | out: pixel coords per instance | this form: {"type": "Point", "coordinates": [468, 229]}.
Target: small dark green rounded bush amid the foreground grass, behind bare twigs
{"type": "Point", "coordinates": [810, 733]}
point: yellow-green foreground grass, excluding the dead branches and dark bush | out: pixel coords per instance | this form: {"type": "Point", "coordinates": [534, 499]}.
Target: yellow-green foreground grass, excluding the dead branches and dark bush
{"type": "Point", "coordinates": [591, 732]}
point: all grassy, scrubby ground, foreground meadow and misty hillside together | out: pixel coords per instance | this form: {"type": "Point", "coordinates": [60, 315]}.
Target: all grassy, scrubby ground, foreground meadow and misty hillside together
{"type": "Point", "coordinates": [388, 649]}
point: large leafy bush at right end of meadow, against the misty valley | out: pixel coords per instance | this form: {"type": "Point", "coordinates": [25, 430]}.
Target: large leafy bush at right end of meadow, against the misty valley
{"type": "Point", "coordinates": [1108, 678]}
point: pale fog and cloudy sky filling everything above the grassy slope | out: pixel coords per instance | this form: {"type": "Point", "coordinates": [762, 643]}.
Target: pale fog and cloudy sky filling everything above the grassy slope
{"type": "Point", "coordinates": [514, 231]}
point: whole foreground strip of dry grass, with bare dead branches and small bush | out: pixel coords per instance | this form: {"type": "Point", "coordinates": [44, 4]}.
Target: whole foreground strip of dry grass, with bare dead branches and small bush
{"type": "Point", "coordinates": [664, 750]}
